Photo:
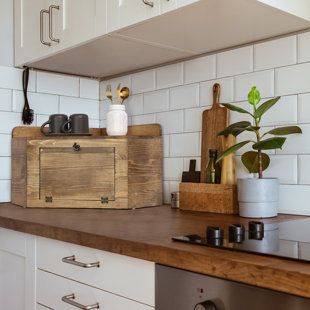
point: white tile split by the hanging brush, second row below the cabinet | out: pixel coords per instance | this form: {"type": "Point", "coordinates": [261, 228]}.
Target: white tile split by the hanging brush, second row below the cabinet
{"type": "Point", "coordinates": [40, 103]}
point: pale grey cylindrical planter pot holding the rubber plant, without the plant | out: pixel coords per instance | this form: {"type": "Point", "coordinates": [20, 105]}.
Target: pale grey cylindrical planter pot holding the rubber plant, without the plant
{"type": "Point", "coordinates": [258, 198]}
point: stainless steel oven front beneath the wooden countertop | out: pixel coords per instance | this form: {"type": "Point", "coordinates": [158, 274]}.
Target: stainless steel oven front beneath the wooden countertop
{"type": "Point", "coordinates": [182, 290]}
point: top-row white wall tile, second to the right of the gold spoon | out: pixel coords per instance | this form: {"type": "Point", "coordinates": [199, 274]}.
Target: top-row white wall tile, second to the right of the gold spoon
{"type": "Point", "coordinates": [169, 76]}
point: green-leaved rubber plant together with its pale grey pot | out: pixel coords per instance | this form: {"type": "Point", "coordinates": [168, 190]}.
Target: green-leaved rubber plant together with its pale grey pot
{"type": "Point", "coordinates": [258, 197]}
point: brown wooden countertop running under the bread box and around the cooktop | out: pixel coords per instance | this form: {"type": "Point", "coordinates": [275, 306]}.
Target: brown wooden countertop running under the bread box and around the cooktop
{"type": "Point", "coordinates": [146, 234]}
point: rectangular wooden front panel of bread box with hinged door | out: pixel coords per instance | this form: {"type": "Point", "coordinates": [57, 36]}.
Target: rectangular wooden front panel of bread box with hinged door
{"type": "Point", "coordinates": [86, 173]}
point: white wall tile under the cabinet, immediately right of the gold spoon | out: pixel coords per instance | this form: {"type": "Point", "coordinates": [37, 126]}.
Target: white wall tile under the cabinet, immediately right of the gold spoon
{"type": "Point", "coordinates": [143, 81]}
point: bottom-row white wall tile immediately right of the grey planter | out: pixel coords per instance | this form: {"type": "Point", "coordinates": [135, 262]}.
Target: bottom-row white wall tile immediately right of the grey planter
{"type": "Point", "coordinates": [294, 199]}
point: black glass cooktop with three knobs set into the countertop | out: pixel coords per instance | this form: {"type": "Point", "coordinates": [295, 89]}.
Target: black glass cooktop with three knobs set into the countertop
{"type": "Point", "coordinates": [289, 239]}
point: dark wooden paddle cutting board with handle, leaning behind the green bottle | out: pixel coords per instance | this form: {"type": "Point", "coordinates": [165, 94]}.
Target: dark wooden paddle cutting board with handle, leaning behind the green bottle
{"type": "Point", "coordinates": [213, 121]}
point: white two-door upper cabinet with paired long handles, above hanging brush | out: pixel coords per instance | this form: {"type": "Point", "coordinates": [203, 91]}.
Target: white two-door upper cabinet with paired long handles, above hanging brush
{"type": "Point", "coordinates": [43, 27]}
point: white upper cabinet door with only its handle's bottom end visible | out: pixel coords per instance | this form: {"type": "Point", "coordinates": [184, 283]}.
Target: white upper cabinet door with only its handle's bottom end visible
{"type": "Point", "coordinates": [129, 12]}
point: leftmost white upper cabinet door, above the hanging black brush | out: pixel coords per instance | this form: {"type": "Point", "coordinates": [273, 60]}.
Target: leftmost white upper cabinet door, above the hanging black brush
{"type": "Point", "coordinates": [31, 29]}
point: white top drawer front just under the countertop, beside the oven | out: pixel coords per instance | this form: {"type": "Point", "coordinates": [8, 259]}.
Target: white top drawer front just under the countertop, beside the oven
{"type": "Point", "coordinates": [129, 277]}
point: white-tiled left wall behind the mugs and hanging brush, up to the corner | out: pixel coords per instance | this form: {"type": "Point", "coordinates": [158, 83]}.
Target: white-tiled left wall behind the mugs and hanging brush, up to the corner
{"type": "Point", "coordinates": [48, 94]}
